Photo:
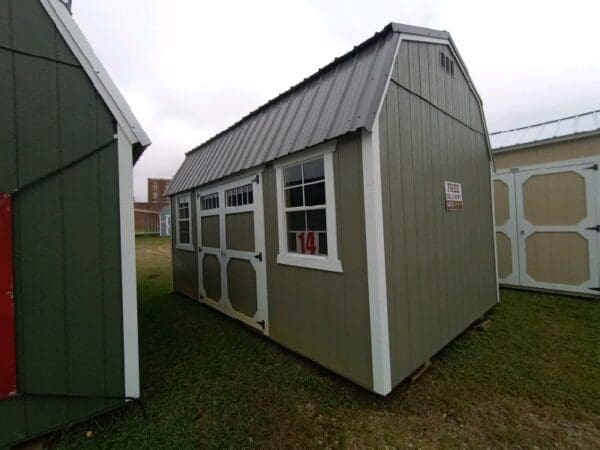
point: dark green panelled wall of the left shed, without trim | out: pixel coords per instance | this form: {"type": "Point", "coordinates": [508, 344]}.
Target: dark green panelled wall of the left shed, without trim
{"type": "Point", "coordinates": [67, 231]}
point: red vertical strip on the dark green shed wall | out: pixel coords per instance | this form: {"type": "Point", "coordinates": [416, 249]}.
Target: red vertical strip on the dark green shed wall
{"type": "Point", "coordinates": [8, 372]}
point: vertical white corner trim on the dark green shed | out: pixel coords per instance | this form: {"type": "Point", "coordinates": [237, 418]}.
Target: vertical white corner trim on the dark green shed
{"type": "Point", "coordinates": [128, 275]}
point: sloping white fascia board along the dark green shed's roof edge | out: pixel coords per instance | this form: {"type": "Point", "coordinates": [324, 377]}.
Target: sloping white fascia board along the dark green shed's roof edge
{"type": "Point", "coordinates": [96, 72]}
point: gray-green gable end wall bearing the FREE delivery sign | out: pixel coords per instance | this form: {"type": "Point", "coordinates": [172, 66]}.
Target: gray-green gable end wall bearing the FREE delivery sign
{"type": "Point", "coordinates": [440, 265]}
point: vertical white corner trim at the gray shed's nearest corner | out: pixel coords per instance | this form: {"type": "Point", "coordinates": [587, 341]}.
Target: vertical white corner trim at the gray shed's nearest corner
{"type": "Point", "coordinates": [378, 307]}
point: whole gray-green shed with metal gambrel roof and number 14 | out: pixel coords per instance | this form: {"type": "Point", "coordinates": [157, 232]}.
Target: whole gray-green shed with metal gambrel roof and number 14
{"type": "Point", "coordinates": [350, 218]}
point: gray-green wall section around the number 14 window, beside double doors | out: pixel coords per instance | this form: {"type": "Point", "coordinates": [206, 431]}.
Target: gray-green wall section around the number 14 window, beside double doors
{"type": "Point", "coordinates": [325, 315]}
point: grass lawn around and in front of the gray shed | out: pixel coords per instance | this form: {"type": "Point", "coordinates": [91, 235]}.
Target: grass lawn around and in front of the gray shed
{"type": "Point", "coordinates": [532, 379]}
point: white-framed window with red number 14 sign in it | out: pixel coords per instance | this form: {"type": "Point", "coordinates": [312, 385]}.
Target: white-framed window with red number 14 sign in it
{"type": "Point", "coordinates": [306, 207]}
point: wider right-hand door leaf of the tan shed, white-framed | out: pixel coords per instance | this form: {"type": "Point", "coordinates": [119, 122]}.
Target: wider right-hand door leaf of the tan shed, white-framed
{"type": "Point", "coordinates": [558, 227]}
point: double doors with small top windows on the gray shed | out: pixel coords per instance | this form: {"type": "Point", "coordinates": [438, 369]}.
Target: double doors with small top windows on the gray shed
{"type": "Point", "coordinates": [231, 251]}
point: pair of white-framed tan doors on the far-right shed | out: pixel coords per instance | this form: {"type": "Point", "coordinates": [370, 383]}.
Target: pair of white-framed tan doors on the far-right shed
{"type": "Point", "coordinates": [547, 229]}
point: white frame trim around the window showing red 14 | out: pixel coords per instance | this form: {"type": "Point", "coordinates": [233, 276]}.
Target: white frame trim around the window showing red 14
{"type": "Point", "coordinates": [330, 262]}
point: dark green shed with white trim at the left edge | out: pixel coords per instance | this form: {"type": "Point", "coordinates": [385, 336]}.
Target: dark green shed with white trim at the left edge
{"type": "Point", "coordinates": [68, 302]}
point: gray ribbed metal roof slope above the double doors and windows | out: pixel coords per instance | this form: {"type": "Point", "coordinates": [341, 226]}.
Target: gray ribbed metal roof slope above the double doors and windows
{"type": "Point", "coordinates": [341, 97]}
